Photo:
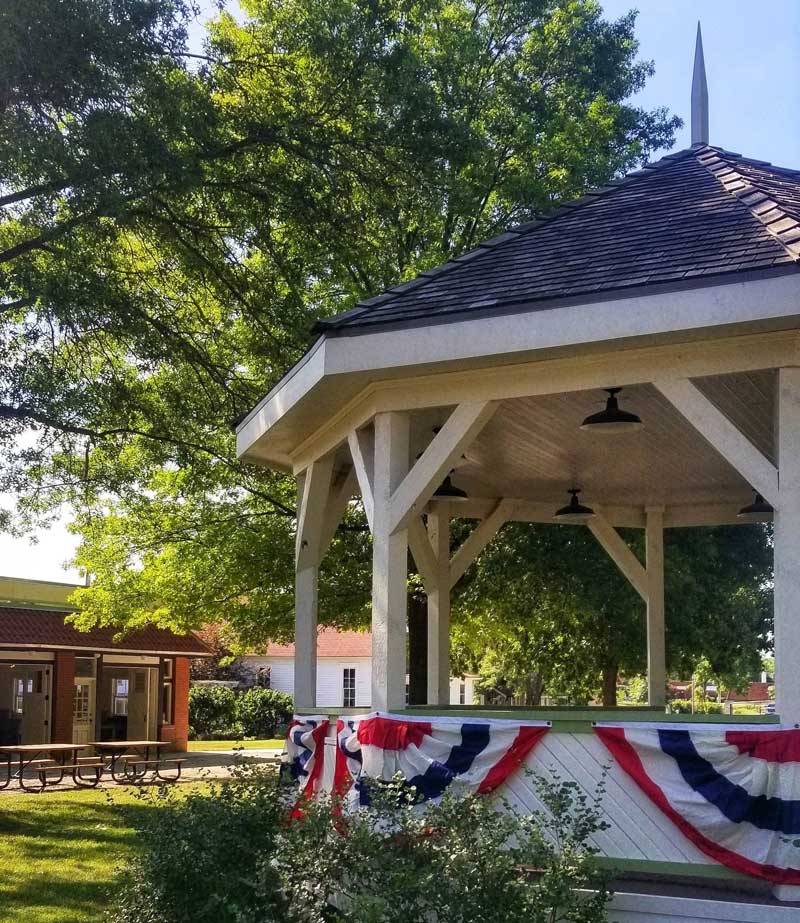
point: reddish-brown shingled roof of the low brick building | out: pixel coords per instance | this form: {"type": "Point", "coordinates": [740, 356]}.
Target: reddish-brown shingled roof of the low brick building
{"type": "Point", "coordinates": [46, 628]}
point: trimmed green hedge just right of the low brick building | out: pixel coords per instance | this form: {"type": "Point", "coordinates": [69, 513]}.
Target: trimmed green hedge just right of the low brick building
{"type": "Point", "coordinates": [220, 713]}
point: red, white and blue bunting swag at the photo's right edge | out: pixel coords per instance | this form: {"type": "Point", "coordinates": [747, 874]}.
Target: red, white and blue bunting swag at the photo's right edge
{"type": "Point", "coordinates": [734, 793]}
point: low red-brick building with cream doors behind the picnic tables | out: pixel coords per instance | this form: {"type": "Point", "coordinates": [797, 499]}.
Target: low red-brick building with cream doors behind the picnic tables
{"type": "Point", "coordinates": [58, 684]}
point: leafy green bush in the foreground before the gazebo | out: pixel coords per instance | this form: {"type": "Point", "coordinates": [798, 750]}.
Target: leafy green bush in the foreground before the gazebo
{"type": "Point", "coordinates": [227, 854]}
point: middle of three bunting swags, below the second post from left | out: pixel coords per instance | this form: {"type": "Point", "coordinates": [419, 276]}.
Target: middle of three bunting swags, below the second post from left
{"type": "Point", "coordinates": [466, 755]}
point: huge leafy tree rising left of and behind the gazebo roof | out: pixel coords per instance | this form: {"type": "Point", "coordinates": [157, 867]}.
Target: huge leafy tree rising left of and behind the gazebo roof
{"type": "Point", "coordinates": [174, 223]}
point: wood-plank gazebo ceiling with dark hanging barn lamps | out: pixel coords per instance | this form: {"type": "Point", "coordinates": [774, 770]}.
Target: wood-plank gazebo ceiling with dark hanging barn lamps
{"type": "Point", "coordinates": [533, 447]}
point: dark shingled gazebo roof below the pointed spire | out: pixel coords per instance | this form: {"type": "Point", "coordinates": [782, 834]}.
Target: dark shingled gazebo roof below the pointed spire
{"type": "Point", "coordinates": [696, 215]}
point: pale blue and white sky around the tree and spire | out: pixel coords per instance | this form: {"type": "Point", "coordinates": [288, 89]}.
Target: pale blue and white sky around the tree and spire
{"type": "Point", "coordinates": [752, 53]}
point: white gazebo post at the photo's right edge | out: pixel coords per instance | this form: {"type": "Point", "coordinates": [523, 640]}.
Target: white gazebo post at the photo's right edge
{"type": "Point", "coordinates": [787, 549]}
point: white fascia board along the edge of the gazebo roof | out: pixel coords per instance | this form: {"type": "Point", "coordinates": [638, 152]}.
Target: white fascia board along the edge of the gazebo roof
{"type": "Point", "coordinates": [371, 356]}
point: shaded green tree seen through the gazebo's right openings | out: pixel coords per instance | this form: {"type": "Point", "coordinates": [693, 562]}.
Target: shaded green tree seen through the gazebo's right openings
{"type": "Point", "coordinates": [547, 610]}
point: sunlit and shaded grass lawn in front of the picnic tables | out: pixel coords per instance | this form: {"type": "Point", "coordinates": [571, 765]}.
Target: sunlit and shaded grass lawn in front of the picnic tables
{"type": "Point", "coordinates": [58, 853]}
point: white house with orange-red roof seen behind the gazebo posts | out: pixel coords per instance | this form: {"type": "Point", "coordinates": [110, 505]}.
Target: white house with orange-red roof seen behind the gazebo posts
{"type": "Point", "coordinates": [344, 670]}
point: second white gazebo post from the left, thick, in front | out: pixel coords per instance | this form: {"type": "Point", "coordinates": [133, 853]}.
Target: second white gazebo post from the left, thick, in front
{"type": "Point", "coordinates": [389, 565]}
